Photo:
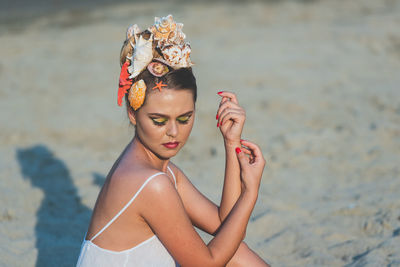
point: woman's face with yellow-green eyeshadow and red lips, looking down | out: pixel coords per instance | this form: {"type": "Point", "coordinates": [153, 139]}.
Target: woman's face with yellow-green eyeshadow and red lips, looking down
{"type": "Point", "coordinates": [164, 123]}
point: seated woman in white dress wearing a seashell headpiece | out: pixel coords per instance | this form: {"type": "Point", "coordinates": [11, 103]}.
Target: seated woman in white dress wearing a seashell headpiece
{"type": "Point", "coordinates": [146, 210]}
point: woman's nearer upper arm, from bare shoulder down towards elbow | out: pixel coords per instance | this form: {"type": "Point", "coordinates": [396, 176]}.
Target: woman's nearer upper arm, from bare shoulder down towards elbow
{"type": "Point", "coordinates": [165, 214]}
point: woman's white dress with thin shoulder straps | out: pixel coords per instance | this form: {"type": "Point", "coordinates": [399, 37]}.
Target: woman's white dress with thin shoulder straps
{"type": "Point", "coordinates": [150, 252]}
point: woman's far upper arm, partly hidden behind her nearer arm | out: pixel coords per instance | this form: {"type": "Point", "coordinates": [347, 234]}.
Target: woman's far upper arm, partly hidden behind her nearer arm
{"type": "Point", "coordinates": [202, 212]}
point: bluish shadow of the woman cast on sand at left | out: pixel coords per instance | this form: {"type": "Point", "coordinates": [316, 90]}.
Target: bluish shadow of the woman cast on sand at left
{"type": "Point", "coordinates": [62, 219]}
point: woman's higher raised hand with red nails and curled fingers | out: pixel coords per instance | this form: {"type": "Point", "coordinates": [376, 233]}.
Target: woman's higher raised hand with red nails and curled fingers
{"type": "Point", "coordinates": [231, 117]}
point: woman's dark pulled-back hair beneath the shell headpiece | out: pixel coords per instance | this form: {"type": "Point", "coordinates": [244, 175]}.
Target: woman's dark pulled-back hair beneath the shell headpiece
{"type": "Point", "coordinates": [180, 79]}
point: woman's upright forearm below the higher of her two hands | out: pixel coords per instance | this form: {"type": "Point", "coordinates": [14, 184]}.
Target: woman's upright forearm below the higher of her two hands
{"type": "Point", "coordinates": [232, 185]}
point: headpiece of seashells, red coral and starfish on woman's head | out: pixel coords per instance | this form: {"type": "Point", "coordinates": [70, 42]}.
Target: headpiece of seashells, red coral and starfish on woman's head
{"type": "Point", "coordinates": [158, 48]}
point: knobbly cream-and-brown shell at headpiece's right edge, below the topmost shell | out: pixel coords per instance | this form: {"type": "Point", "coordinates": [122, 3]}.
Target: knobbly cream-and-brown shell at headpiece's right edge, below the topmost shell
{"type": "Point", "coordinates": [177, 56]}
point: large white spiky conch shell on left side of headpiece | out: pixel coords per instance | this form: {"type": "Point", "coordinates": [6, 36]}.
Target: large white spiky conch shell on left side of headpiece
{"type": "Point", "coordinates": [142, 55]}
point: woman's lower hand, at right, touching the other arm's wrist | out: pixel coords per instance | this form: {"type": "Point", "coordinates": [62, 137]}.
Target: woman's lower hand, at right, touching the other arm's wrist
{"type": "Point", "coordinates": [251, 166]}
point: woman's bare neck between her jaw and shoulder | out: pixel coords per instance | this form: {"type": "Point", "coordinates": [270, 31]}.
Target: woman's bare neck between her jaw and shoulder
{"type": "Point", "coordinates": [144, 154]}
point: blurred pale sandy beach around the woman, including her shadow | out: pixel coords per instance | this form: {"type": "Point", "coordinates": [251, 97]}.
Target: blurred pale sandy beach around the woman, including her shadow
{"type": "Point", "coordinates": [320, 82]}
